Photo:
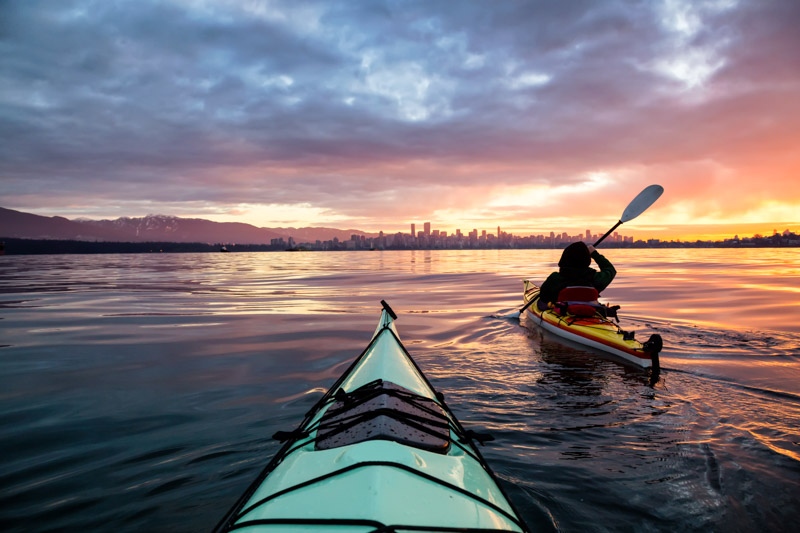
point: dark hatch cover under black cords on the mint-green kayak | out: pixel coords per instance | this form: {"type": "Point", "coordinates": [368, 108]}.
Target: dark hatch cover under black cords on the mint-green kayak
{"type": "Point", "coordinates": [382, 410]}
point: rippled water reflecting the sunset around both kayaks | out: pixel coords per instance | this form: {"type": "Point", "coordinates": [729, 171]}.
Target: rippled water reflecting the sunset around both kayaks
{"type": "Point", "coordinates": [139, 392]}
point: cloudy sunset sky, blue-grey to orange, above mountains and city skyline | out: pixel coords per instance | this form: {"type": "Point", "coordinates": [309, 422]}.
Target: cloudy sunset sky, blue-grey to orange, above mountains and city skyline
{"type": "Point", "coordinates": [534, 116]}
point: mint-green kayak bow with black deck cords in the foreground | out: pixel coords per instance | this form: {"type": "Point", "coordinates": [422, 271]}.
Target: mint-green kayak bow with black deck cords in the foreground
{"type": "Point", "coordinates": [381, 451]}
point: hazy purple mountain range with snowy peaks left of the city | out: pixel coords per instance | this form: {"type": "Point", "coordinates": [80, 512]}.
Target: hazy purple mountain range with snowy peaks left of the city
{"type": "Point", "coordinates": [155, 228]}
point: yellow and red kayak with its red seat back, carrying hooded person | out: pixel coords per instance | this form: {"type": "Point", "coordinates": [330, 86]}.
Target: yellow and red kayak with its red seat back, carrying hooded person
{"type": "Point", "coordinates": [587, 323]}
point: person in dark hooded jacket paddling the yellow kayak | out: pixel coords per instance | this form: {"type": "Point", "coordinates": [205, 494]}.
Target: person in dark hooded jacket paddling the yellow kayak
{"type": "Point", "coordinates": [574, 270]}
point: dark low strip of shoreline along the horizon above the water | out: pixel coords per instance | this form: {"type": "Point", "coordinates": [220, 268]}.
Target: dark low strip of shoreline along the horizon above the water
{"type": "Point", "coordinates": [17, 246]}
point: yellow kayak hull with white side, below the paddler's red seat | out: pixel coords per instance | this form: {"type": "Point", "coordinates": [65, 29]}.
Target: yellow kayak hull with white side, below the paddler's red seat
{"type": "Point", "coordinates": [596, 332]}
